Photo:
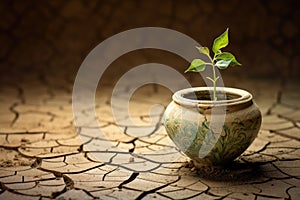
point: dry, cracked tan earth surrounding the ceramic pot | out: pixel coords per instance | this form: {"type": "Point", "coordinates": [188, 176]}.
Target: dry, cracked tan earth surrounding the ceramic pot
{"type": "Point", "coordinates": [42, 155]}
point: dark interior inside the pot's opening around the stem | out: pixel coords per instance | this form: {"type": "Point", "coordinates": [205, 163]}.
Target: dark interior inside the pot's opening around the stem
{"type": "Point", "coordinates": [205, 95]}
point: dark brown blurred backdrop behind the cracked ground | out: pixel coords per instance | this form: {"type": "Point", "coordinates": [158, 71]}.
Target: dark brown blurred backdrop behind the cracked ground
{"type": "Point", "coordinates": [51, 38]}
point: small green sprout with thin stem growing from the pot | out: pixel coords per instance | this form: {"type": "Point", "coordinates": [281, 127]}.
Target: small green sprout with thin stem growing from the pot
{"type": "Point", "coordinates": [220, 59]}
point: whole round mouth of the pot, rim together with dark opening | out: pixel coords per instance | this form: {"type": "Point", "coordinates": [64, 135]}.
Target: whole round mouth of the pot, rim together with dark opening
{"type": "Point", "coordinates": [201, 96]}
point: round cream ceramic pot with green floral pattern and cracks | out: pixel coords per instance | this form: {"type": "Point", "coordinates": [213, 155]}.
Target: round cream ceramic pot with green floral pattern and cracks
{"type": "Point", "coordinates": [212, 132]}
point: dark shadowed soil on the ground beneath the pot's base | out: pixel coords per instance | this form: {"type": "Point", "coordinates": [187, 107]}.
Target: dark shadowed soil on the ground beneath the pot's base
{"type": "Point", "coordinates": [233, 171]}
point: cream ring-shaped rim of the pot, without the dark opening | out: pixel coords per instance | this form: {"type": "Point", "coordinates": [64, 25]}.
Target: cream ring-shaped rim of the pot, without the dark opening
{"type": "Point", "coordinates": [244, 96]}
